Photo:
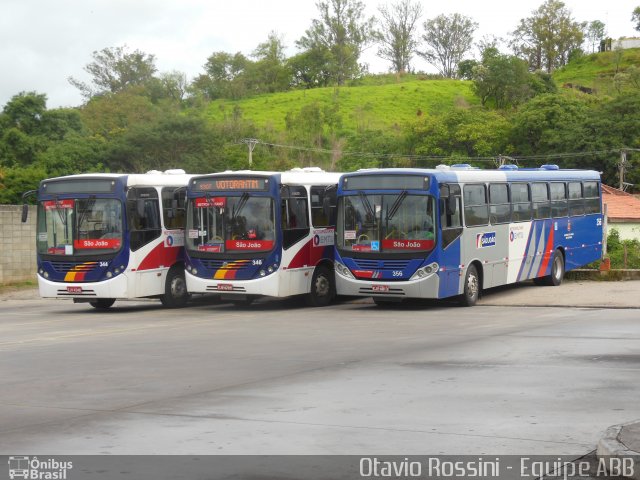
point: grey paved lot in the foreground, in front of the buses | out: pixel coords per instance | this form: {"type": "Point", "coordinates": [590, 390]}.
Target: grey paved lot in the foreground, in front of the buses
{"type": "Point", "coordinates": [280, 378]}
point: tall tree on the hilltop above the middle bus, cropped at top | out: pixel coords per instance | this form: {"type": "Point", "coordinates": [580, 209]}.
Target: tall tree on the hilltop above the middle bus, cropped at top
{"type": "Point", "coordinates": [340, 34]}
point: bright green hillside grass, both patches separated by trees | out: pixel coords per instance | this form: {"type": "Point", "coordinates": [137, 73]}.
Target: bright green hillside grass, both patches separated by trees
{"type": "Point", "coordinates": [385, 101]}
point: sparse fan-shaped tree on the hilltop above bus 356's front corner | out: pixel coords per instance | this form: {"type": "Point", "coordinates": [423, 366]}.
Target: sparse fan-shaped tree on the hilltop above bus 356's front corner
{"type": "Point", "coordinates": [448, 38]}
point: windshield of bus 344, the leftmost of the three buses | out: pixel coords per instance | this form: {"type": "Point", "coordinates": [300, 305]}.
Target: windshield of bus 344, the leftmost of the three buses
{"type": "Point", "coordinates": [79, 227]}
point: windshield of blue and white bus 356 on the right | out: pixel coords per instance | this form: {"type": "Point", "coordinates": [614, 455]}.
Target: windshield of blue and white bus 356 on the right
{"type": "Point", "coordinates": [386, 223]}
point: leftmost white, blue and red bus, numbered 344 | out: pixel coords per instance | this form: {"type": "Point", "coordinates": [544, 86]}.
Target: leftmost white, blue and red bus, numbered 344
{"type": "Point", "coordinates": [103, 237]}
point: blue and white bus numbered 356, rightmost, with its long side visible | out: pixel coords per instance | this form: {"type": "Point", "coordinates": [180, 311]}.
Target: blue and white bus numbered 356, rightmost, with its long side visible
{"type": "Point", "coordinates": [449, 231]}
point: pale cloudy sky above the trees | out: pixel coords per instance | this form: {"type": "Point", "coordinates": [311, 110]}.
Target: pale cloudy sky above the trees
{"type": "Point", "coordinates": [43, 43]}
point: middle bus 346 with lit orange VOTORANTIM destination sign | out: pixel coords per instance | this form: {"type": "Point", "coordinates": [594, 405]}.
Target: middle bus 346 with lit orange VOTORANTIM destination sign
{"type": "Point", "coordinates": [261, 233]}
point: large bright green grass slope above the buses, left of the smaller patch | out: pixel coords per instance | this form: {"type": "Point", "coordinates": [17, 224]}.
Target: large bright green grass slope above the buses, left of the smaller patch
{"type": "Point", "coordinates": [368, 106]}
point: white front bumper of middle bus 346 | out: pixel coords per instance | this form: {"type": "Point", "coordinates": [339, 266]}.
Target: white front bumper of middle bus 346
{"type": "Point", "coordinates": [268, 285]}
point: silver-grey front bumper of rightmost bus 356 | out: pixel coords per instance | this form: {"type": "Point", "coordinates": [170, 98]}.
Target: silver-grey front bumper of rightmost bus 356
{"type": "Point", "coordinates": [422, 288]}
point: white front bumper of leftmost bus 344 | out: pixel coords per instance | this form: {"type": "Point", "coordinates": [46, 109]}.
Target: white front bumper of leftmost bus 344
{"type": "Point", "coordinates": [115, 287]}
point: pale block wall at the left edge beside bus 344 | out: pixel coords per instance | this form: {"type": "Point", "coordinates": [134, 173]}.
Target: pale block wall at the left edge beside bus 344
{"type": "Point", "coordinates": [18, 240]}
